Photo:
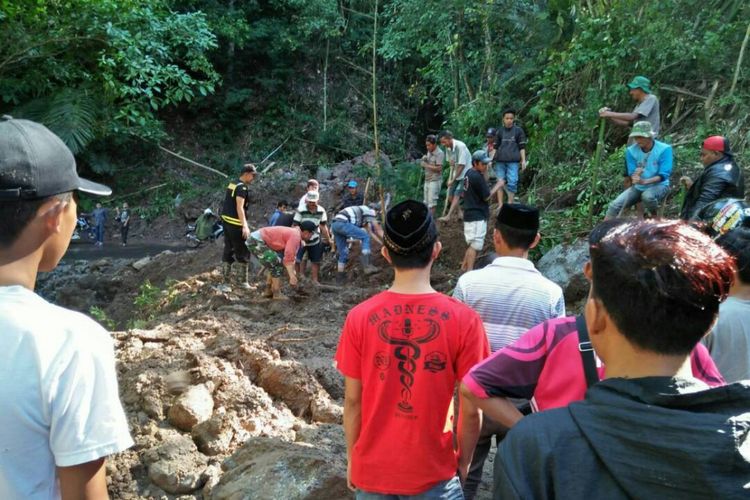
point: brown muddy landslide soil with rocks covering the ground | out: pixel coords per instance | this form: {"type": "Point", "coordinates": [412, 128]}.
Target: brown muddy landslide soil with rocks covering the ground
{"type": "Point", "coordinates": [228, 395]}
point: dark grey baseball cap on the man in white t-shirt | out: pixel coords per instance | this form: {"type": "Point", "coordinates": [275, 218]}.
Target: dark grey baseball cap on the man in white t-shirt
{"type": "Point", "coordinates": [35, 163]}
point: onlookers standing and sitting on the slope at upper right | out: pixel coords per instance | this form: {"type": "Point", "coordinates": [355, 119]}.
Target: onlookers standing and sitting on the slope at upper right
{"type": "Point", "coordinates": [647, 170]}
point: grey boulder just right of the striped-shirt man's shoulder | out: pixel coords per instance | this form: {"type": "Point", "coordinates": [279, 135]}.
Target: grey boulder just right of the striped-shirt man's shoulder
{"type": "Point", "coordinates": [563, 264]}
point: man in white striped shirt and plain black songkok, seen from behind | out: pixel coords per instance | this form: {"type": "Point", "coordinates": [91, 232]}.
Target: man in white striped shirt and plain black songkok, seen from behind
{"type": "Point", "coordinates": [511, 297]}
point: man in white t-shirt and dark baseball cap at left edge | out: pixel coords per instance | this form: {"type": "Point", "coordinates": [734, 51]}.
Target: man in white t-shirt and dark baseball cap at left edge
{"type": "Point", "coordinates": [60, 415]}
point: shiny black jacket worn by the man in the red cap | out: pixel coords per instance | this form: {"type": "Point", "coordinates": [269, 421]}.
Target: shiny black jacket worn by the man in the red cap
{"type": "Point", "coordinates": [721, 179]}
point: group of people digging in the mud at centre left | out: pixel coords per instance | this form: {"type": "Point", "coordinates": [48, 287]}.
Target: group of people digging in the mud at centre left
{"type": "Point", "coordinates": [295, 237]}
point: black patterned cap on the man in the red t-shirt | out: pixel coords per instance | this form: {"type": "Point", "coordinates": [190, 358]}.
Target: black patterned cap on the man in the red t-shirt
{"type": "Point", "coordinates": [409, 228]}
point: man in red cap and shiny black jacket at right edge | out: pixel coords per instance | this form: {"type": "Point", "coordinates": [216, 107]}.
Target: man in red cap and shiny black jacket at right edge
{"type": "Point", "coordinates": [721, 178]}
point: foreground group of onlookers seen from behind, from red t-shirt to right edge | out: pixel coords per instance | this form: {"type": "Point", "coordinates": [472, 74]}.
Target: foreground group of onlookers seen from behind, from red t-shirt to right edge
{"type": "Point", "coordinates": [623, 401]}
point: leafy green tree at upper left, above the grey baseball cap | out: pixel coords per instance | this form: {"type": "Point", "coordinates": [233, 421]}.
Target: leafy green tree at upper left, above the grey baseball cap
{"type": "Point", "coordinates": [92, 68]}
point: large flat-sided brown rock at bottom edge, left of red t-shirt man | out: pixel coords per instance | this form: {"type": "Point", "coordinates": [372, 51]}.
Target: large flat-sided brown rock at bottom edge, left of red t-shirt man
{"type": "Point", "coordinates": [270, 468]}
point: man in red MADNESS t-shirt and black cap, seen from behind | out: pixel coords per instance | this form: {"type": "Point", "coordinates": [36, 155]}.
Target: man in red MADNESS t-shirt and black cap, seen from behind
{"type": "Point", "coordinates": [402, 352]}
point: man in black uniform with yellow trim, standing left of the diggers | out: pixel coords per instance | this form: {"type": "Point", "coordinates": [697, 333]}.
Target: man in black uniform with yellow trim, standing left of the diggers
{"type": "Point", "coordinates": [236, 230]}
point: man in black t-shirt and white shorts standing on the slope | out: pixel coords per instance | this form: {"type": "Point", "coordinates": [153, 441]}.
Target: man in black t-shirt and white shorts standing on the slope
{"type": "Point", "coordinates": [476, 207]}
